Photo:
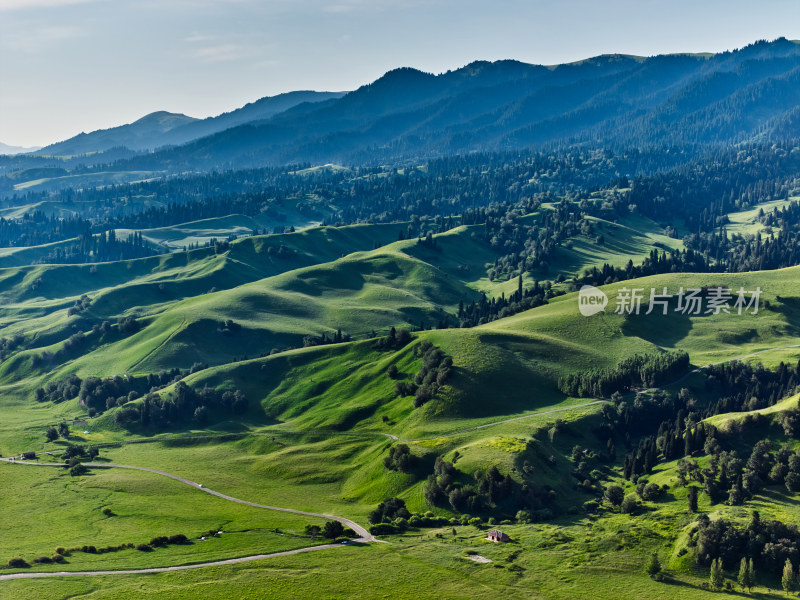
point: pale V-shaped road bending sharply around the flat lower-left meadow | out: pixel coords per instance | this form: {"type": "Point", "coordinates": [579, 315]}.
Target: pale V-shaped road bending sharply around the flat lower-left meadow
{"type": "Point", "coordinates": [365, 536]}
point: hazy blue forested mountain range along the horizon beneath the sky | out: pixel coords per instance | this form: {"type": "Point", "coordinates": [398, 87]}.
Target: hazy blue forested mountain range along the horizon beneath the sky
{"type": "Point", "coordinates": [681, 100]}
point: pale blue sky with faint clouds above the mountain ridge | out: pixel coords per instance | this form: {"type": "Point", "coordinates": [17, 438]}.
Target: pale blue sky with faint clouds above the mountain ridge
{"type": "Point", "coordinates": [68, 66]}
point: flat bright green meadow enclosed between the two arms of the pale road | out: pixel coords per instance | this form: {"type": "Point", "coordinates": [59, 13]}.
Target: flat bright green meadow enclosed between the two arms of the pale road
{"type": "Point", "coordinates": [143, 506]}
